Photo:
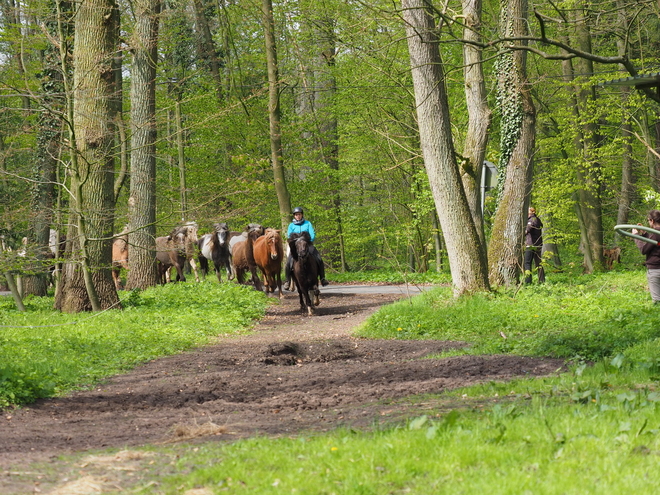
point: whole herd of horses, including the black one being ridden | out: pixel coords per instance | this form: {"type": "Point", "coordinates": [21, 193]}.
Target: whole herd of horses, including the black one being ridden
{"type": "Point", "coordinates": [255, 249]}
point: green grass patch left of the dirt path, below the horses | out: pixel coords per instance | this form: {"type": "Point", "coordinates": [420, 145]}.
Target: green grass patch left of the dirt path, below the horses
{"type": "Point", "coordinates": [44, 353]}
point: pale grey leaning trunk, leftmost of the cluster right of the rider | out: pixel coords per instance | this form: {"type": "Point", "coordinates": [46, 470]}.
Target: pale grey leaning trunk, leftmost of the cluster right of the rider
{"type": "Point", "coordinates": [467, 258]}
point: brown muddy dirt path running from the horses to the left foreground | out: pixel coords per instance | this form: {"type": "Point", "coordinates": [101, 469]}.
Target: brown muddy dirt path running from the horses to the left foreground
{"type": "Point", "coordinates": [294, 374]}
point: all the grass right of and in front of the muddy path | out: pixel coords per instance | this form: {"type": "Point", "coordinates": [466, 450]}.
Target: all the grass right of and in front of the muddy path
{"type": "Point", "coordinates": [594, 429]}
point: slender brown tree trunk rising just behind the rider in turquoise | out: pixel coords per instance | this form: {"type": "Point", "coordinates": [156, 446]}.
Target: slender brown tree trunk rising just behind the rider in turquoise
{"type": "Point", "coordinates": [281, 190]}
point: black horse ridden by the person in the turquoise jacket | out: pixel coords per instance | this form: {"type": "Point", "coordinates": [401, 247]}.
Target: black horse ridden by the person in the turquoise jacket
{"type": "Point", "coordinates": [305, 272]}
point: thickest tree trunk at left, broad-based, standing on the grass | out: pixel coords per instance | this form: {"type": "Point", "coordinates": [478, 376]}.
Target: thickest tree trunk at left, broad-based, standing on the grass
{"type": "Point", "coordinates": [87, 281]}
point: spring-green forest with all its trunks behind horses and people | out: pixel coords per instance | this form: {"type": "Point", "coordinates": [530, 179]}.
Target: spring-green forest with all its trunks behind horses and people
{"type": "Point", "coordinates": [151, 113]}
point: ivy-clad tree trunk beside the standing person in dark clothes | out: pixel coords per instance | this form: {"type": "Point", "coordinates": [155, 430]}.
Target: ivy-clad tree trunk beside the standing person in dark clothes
{"type": "Point", "coordinates": [516, 151]}
